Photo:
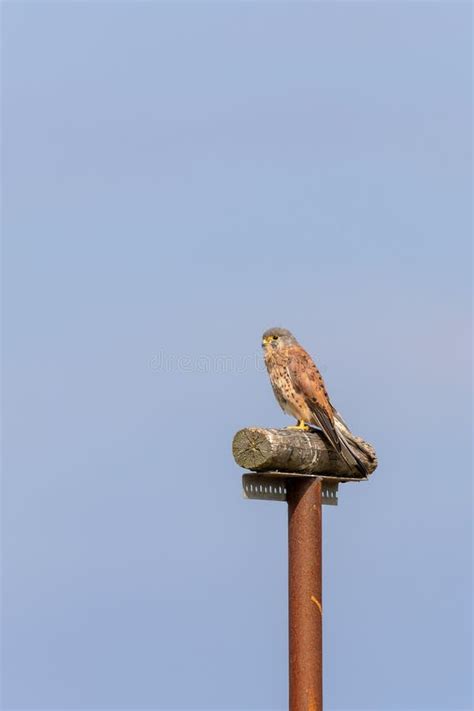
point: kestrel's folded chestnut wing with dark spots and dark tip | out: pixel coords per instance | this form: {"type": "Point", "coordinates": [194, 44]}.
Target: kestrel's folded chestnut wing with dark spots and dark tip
{"type": "Point", "coordinates": [307, 381]}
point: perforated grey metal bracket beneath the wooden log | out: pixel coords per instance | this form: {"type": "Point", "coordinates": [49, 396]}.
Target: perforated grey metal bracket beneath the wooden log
{"type": "Point", "coordinates": [271, 486]}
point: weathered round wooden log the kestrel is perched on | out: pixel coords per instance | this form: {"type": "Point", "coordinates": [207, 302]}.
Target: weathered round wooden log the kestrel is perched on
{"type": "Point", "coordinates": [287, 450]}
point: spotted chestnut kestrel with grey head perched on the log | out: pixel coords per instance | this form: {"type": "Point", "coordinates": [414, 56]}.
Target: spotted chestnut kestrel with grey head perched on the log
{"type": "Point", "coordinates": [300, 391]}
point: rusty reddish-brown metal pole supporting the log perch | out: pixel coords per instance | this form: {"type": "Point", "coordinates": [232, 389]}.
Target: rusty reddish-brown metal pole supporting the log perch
{"type": "Point", "coordinates": [304, 588]}
